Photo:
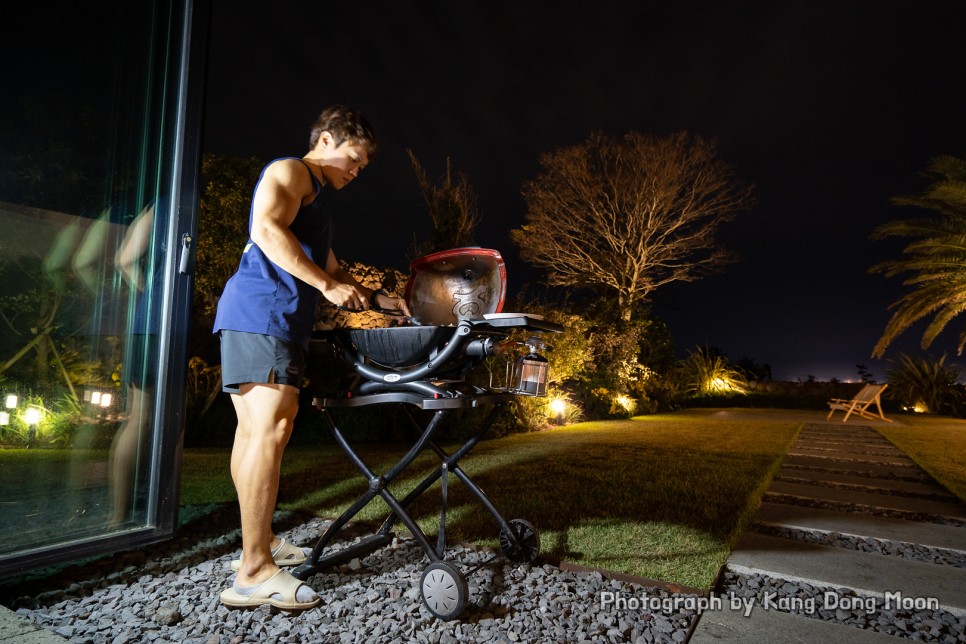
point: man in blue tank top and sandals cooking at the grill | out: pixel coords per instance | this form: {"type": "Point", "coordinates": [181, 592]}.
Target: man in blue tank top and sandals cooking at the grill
{"type": "Point", "coordinates": [265, 319]}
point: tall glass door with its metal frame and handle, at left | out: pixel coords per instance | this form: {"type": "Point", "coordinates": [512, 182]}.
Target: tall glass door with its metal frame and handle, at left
{"type": "Point", "coordinates": [98, 195]}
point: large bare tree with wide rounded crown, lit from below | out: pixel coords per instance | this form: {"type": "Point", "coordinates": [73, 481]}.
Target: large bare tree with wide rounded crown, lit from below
{"type": "Point", "coordinates": [629, 214]}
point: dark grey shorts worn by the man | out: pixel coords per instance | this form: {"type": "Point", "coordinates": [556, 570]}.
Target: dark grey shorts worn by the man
{"type": "Point", "coordinates": [262, 359]}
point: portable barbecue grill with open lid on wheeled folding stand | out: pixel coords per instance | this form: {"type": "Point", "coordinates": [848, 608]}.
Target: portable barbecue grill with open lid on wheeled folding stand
{"type": "Point", "coordinates": [456, 299]}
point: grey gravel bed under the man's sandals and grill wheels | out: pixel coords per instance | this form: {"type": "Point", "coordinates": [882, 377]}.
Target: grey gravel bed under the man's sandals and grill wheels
{"type": "Point", "coordinates": [170, 594]}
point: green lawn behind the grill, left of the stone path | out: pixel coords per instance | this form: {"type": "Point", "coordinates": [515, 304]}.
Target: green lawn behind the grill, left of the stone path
{"type": "Point", "coordinates": [662, 496]}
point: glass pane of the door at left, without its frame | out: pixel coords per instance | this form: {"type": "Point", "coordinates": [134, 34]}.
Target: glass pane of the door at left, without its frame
{"type": "Point", "coordinates": [81, 266]}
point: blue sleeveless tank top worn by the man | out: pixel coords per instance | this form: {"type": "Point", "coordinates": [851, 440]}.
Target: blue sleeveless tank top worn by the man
{"type": "Point", "coordinates": [263, 298]}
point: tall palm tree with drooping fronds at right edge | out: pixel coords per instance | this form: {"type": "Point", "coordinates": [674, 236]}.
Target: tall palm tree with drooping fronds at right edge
{"type": "Point", "coordinates": [936, 258]}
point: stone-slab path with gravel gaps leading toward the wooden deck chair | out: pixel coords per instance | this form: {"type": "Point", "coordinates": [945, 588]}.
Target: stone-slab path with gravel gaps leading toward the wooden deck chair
{"type": "Point", "coordinates": [851, 537]}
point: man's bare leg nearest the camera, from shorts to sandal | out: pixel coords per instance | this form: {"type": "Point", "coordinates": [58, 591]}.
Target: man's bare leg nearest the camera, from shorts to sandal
{"type": "Point", "coordinates": [266, 413]}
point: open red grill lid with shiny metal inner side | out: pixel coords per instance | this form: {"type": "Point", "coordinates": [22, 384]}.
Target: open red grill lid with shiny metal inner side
{"type": "Point", "coordinates": [457, 284]}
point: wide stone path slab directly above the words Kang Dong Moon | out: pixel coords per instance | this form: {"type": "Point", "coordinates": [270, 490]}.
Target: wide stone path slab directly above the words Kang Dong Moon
{"type": "Point", "coordinates": [866, 573]}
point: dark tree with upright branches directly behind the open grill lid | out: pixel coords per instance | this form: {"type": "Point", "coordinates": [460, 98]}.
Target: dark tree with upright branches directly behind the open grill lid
{"type": "Point", "coordinates": [452, 210]}
